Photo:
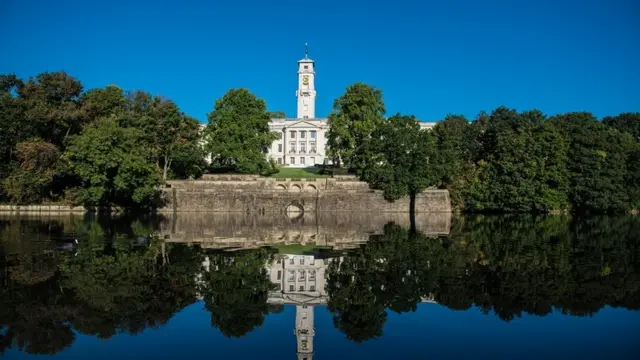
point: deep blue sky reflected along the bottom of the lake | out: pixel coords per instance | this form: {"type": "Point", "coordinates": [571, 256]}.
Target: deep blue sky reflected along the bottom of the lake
{"type": "Point", "coordinates": [433, 331]}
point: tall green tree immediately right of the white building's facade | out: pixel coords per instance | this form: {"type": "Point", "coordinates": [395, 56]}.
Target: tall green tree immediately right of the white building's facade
{"type": "Point", "coordinates": [355, 115]}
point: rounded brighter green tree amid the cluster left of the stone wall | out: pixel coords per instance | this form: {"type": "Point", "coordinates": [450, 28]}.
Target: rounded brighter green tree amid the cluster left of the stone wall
{"type": "Point", "coordinates": [113, 168]}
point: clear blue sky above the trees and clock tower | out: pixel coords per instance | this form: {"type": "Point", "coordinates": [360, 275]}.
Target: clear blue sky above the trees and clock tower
{"type": "Point", "coordinates": [430, 58]}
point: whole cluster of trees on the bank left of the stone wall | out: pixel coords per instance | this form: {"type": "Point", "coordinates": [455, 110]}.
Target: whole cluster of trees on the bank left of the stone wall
{"type": "Point", "coordinates": [62, 144]}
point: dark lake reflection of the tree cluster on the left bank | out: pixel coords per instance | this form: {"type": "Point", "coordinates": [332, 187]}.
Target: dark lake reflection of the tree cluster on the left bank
{"type": "Point", "coordinates": [106, 288]}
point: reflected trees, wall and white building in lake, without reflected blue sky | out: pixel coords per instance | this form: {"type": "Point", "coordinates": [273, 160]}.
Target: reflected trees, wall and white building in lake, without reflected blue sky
{"type": "Point", "coordinates": [125, 276]}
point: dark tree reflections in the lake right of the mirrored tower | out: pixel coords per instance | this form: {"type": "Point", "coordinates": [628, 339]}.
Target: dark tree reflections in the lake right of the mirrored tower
{"type": "Point", "coordinates": [504, 265]}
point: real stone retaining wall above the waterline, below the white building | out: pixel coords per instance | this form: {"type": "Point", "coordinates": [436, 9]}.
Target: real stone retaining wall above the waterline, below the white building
{"type": "Point", "coordinates": [220, 193]}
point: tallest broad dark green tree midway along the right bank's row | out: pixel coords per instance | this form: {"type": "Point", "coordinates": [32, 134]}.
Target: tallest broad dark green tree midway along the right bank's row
{"type": "Point", "coordinates": [521, 164]}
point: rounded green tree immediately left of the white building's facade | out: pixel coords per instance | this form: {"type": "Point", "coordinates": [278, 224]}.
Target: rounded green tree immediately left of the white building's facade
{"type": "Point", "coordinates": [238, 133]}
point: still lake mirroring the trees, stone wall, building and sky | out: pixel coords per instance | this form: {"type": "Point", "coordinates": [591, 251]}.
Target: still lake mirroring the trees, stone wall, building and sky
{"type": "Point", "coordinates": [331, 286]}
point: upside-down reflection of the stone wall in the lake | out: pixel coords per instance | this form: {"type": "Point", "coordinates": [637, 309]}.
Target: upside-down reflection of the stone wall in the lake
{"type": "Point", "coordinates": [335, 230]}
